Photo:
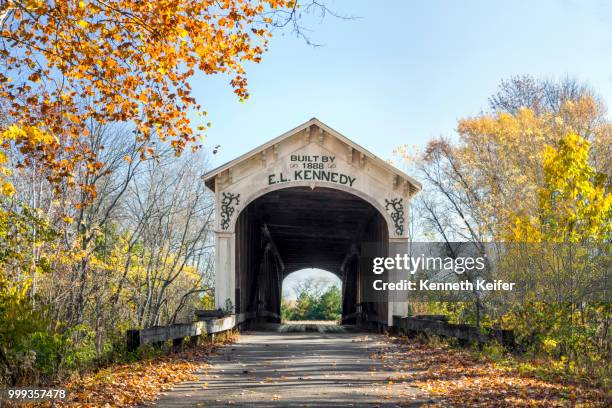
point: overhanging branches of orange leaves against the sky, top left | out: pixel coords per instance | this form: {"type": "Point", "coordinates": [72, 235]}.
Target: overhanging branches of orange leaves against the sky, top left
{"type": "Point", "coordinates": [70, 63]}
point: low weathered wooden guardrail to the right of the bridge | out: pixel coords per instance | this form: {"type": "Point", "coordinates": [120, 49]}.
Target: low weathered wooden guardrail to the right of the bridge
{"type": "Point", "coordinates": [438, 325]}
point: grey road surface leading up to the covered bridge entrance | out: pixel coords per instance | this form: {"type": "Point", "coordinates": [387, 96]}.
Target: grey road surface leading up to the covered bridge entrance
{"type": "Point", "coordinates": [322, 367]}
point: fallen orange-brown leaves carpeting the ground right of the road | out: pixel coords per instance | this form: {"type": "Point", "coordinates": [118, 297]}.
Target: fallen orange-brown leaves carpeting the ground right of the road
{"type": "Point", "coordinates": [454, 378]}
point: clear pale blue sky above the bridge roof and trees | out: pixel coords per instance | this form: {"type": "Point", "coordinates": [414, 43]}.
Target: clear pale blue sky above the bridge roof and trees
{"type": "Point", "coordinates": [407, 71]}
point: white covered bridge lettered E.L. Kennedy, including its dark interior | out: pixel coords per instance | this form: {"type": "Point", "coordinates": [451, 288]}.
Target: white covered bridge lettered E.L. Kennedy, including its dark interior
{"type": "Point", "coordinates": [309, 198]}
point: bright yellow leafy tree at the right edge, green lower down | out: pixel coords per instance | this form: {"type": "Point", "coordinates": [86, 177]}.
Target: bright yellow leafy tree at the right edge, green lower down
{"type": "Point", "coordinates": [563, 254]}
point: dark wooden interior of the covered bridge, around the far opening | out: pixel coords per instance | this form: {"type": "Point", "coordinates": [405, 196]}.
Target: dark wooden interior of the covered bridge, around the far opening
{"type": "Point", "coordinates": [299, 227]}
